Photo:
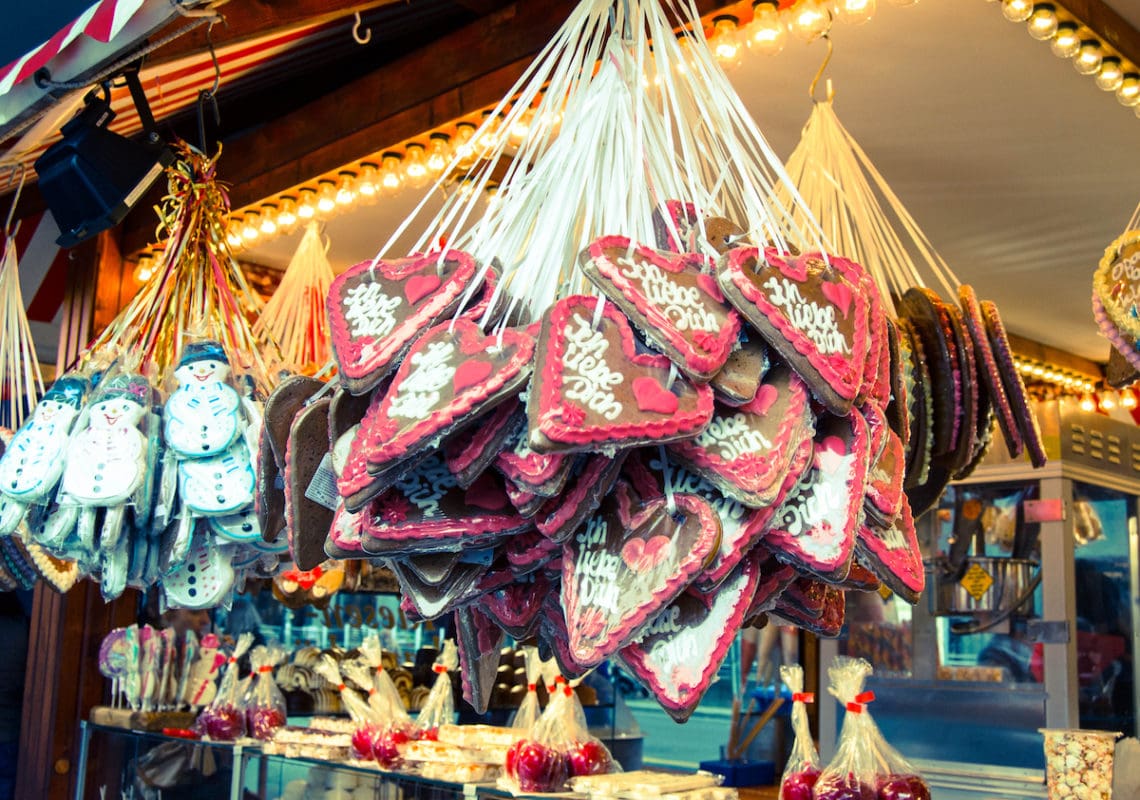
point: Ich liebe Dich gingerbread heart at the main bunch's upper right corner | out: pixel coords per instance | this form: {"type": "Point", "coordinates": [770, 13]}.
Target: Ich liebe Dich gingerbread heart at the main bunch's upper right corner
{"type": "Point", "coordinates": [810, 312]}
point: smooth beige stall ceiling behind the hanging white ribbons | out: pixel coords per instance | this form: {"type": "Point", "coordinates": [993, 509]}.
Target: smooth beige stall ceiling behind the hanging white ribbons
{"type": "Point", "coordinates": [1017, 168]}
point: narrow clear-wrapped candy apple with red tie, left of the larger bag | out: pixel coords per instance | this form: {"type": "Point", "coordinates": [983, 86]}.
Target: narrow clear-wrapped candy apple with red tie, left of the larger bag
{"type": "Point", "coordinates": [852, 772]}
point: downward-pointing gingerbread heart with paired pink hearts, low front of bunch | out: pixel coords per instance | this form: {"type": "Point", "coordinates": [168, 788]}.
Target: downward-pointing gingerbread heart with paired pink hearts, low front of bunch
{"type": "Point", "coordinates": [608, 603]}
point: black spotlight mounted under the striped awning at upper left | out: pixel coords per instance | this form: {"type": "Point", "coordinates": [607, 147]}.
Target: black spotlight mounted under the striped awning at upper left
{"type": "Point", "coordinates": [93, 177]}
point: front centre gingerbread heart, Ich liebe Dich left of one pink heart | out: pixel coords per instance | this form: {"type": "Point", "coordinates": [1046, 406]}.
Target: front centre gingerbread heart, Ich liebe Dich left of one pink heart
{"type": "Point", "coordinates": [593, 390]}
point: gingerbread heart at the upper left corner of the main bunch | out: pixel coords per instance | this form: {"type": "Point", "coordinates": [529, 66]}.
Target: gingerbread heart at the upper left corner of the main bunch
{"type": "Point", "coordinates": [377, 312]}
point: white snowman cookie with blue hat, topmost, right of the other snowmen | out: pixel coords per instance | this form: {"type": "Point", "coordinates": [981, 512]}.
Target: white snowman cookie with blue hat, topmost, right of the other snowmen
{"type": "Point", "coordinates": [203, 417]}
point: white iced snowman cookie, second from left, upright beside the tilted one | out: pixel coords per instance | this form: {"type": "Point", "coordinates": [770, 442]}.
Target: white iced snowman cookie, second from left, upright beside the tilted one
{"type": "Point", "coordinates": [107, 461]}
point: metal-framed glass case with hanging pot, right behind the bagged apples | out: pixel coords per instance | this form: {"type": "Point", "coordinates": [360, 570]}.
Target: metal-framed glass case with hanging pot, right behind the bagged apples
{"type": "Point", "coordinates": [1029, 621]}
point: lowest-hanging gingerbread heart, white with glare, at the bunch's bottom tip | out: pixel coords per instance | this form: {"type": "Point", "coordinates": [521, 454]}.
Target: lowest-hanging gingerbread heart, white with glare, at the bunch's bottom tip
{"type": "Point", "coordinates": [682, 650]}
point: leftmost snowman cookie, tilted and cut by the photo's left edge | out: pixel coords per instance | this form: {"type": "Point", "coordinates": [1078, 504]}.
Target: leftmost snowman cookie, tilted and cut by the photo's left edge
{"type": "Point", "coordinates": [34, 462]}
